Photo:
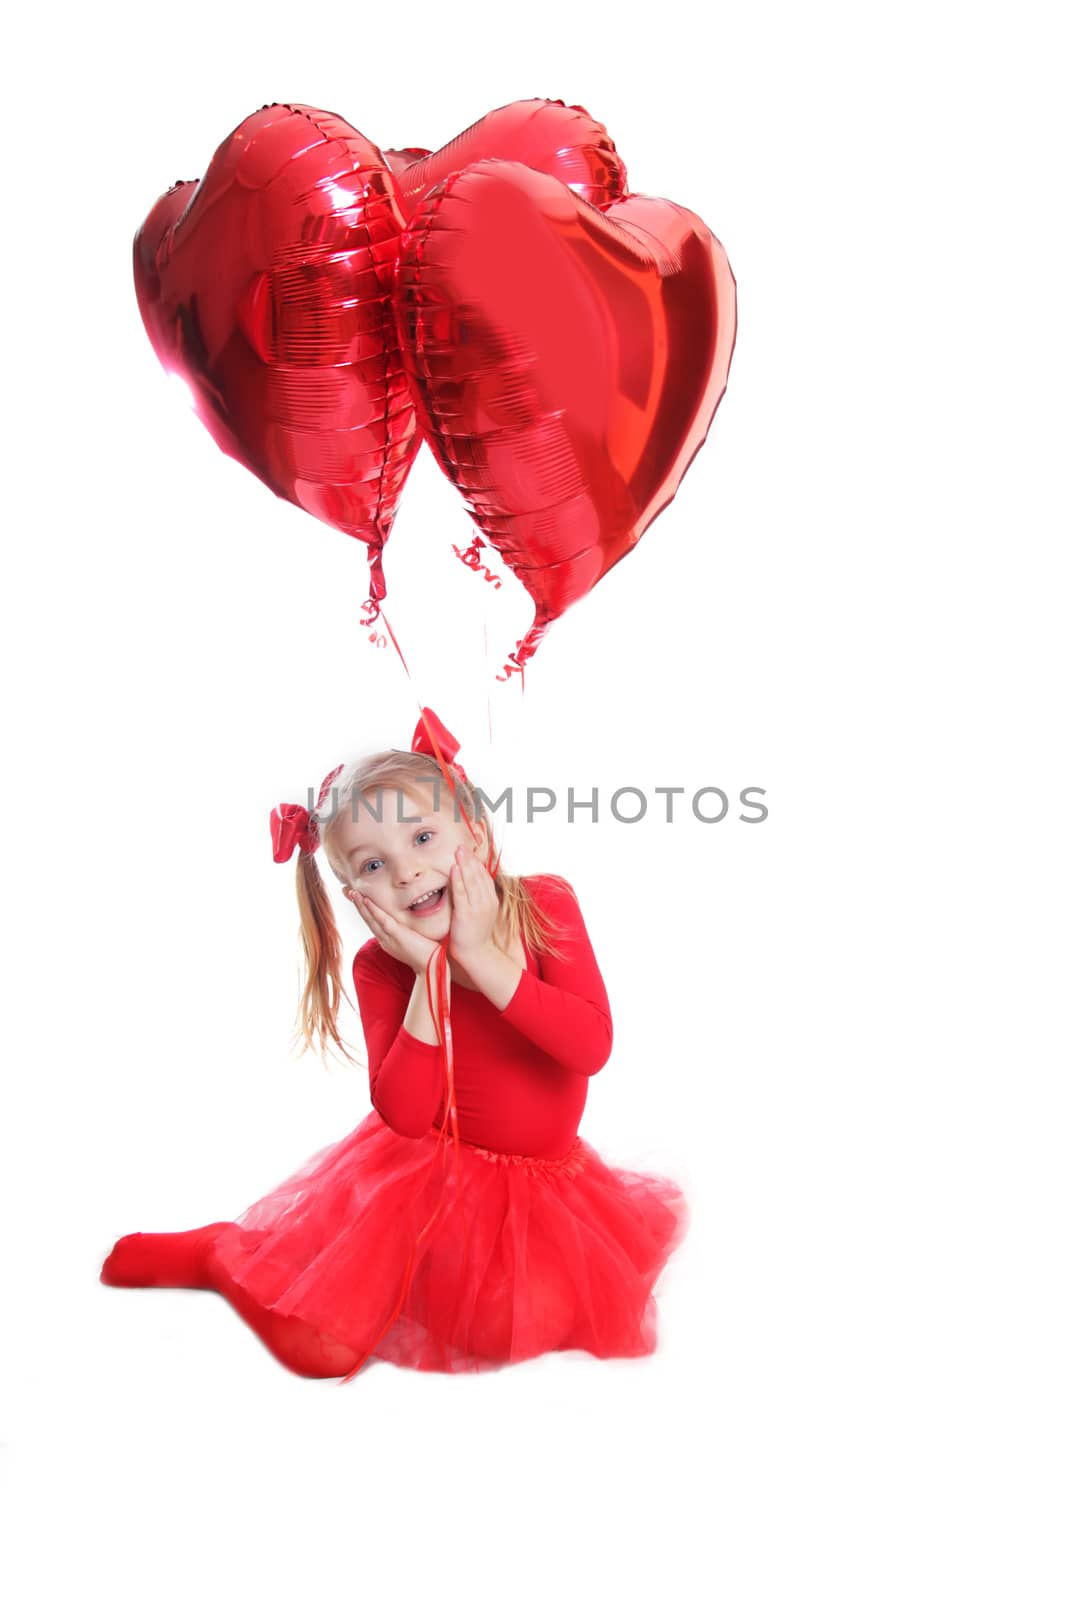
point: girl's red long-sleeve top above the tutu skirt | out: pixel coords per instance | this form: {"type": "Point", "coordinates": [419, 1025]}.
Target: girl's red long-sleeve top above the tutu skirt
{"type": "Point", "coordinates": [522, 1073]}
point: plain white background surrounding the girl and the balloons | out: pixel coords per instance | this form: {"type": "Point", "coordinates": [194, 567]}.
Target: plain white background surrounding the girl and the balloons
{"type": "Point", "coordinates": [841, 1030]}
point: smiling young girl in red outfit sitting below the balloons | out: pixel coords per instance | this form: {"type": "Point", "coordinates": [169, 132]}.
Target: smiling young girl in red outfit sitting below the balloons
{"type": "Point", "coordinates": [465, 1223]}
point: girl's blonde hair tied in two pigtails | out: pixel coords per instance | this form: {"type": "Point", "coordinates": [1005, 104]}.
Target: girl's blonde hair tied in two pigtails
{"type": "Point", "coordinates": [321, 938]}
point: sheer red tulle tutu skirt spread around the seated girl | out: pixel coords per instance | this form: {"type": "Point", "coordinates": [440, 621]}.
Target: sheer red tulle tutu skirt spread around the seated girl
{"type": "Point", "coordinates": [455, 1258]}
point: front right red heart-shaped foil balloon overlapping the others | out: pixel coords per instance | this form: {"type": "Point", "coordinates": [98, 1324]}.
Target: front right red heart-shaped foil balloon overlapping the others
{"type": "Point", "coordinates": [567, 366]}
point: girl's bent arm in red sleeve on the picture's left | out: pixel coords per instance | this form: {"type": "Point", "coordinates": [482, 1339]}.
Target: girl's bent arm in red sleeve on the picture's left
{"type": "Point", "coordinates": [406, 1071]}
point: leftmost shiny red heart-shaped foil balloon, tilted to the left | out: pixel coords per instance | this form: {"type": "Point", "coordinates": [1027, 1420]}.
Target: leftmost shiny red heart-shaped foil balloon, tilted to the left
{"type": "Point", "coordinates": [266, 287]}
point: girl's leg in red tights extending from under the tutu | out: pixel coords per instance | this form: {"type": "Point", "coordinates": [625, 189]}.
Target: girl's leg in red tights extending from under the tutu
{"type": "Point", "coordinates": [186, 1262]}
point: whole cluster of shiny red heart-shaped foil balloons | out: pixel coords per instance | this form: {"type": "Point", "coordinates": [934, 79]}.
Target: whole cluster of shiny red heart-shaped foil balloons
{"type": "Point", "coordinates": [562, 345]}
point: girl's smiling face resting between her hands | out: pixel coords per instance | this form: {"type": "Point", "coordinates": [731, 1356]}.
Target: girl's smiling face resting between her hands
{"type": "Point", "coordinates": [406, 857]}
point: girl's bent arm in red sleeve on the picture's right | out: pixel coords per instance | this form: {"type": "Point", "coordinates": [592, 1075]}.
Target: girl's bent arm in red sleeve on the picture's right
{"type": "Point", "coordinates": [565, 1012]}
